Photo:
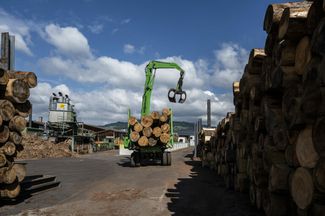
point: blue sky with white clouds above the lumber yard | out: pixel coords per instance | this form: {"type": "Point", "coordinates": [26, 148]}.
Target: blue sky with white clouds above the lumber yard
{"type": "Point", "coordinates": [96, 51]}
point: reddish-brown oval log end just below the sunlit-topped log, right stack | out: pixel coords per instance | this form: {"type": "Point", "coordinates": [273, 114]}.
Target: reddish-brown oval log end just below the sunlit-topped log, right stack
{"type": "Point", "coordinates": [302, 55]}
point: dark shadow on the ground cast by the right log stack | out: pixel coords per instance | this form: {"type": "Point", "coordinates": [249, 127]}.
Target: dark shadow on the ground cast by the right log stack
{"type": "Point", "coordinates": [204, 193]}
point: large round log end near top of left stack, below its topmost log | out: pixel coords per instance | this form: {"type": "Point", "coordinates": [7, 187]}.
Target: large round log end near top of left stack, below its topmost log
{"type": "Point", "coordinates": [17, 91]}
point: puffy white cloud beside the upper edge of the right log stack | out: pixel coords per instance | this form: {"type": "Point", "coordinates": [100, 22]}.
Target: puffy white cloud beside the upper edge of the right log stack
{"type": "Point", "coordinates": [230, 61]}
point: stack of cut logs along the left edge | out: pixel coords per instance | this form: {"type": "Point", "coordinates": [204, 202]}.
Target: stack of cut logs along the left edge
{"type": "Point", "coordinates": [14, 108]}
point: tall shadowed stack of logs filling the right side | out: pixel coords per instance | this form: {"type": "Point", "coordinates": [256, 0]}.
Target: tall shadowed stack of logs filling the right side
{"type": "Point", "coordinates": [277, 132]}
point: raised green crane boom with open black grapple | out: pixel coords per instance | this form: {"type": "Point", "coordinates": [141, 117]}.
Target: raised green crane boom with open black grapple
{"type": "Point", "coordinates": [150, 78]}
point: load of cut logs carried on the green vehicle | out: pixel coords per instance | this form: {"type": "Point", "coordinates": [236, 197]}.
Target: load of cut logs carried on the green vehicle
{"type": "Point", "coordinates": [151, 130]}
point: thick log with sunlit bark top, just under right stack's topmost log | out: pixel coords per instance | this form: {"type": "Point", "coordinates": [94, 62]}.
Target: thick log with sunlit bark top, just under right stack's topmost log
{"type": "Point", "coordinates": [292, 24]}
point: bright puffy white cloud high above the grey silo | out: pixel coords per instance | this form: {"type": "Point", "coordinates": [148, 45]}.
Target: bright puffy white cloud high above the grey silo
{"type": "Point", "coordinates": [68, 41]}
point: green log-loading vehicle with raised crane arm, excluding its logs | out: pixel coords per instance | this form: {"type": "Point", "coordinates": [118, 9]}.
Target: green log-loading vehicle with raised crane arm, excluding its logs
{"type": "Point", "coordinates": [159, 151]}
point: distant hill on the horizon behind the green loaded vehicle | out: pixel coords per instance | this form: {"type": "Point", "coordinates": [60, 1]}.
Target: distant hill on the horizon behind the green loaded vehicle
{"type": "Point", "coordinates": [183, 128]}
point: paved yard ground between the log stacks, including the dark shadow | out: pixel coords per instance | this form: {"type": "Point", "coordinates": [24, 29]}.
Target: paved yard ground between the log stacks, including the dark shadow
{"type": "Point", "coordinates": [104, 184]}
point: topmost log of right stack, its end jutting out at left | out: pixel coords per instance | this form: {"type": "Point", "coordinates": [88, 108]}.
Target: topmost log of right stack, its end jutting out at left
{"type": "Point", "coordinates": [273, 15]}
